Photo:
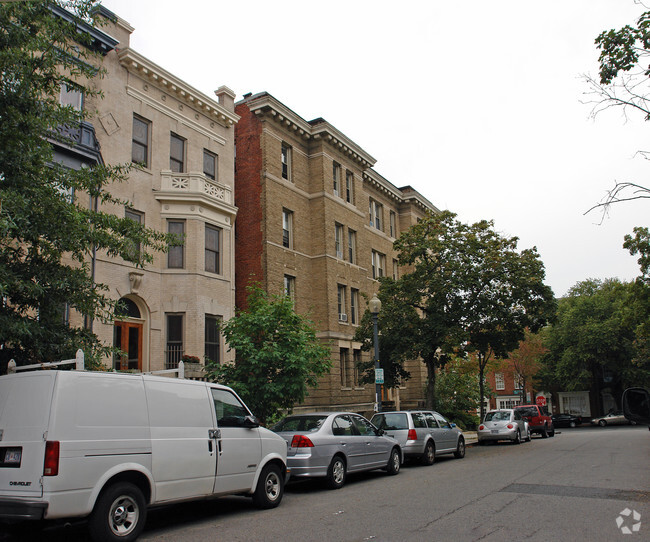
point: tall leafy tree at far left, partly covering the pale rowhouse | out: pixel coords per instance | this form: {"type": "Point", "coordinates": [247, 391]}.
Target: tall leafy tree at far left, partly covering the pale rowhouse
{"type": "Point", "coordinates": [47, 228]}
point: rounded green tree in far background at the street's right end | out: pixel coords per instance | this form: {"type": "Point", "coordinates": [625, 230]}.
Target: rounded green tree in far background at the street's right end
{"type": "Point", "coordinates": [593, 344]}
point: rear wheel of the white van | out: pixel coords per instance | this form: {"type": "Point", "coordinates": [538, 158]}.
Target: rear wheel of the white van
{"type": "Point", "coordinates": [119, 514]}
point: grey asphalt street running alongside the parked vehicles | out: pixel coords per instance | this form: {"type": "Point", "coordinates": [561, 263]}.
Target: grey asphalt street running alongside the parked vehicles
{"type": "Point", "coordinates": [583, 484]}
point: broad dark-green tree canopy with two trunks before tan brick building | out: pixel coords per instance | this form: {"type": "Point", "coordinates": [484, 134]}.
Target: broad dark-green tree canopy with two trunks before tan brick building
{"type": "Point", "coordinates": [466, 289]}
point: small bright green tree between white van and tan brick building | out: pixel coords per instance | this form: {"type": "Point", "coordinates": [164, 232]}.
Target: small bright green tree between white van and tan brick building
{"type": "Point", "coordinates": [277, 354]}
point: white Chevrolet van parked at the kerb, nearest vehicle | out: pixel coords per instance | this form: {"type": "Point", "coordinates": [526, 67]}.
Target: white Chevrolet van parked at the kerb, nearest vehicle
{"type": "Point", "coordinates": [108, 445]}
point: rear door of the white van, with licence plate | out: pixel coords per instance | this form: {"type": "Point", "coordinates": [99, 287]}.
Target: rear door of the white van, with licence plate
{"type": "Point", "coordinates": [25, 401]}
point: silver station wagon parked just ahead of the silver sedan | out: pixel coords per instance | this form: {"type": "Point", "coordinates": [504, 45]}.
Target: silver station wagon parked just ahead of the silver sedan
{"type": "Point", "coordinates": [422, 434]}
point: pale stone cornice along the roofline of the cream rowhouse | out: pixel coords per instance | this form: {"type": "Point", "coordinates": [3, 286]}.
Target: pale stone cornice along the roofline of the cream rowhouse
{"type": "Point", "coordinates": [144, 68]}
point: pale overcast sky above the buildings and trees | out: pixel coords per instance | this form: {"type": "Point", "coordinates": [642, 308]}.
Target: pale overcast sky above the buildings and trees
{"type": "Point", "coordinates": [477, 104]}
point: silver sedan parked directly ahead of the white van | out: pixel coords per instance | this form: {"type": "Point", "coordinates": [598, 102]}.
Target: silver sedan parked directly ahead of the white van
{"type": "Point", "coordinates": [333, 444]}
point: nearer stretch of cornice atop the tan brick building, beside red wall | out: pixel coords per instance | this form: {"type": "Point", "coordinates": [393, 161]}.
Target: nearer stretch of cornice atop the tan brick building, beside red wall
{"type": "Point", "coordinates": [266, 105]}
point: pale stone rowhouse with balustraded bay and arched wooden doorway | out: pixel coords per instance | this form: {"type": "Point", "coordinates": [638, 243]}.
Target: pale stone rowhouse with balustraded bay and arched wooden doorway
{"type": "Point", "coordinates": [150, 116]}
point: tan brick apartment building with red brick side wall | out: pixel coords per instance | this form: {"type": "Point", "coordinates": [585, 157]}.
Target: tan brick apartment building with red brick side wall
{"type": "Point", "coordinates": [316, 221]}
